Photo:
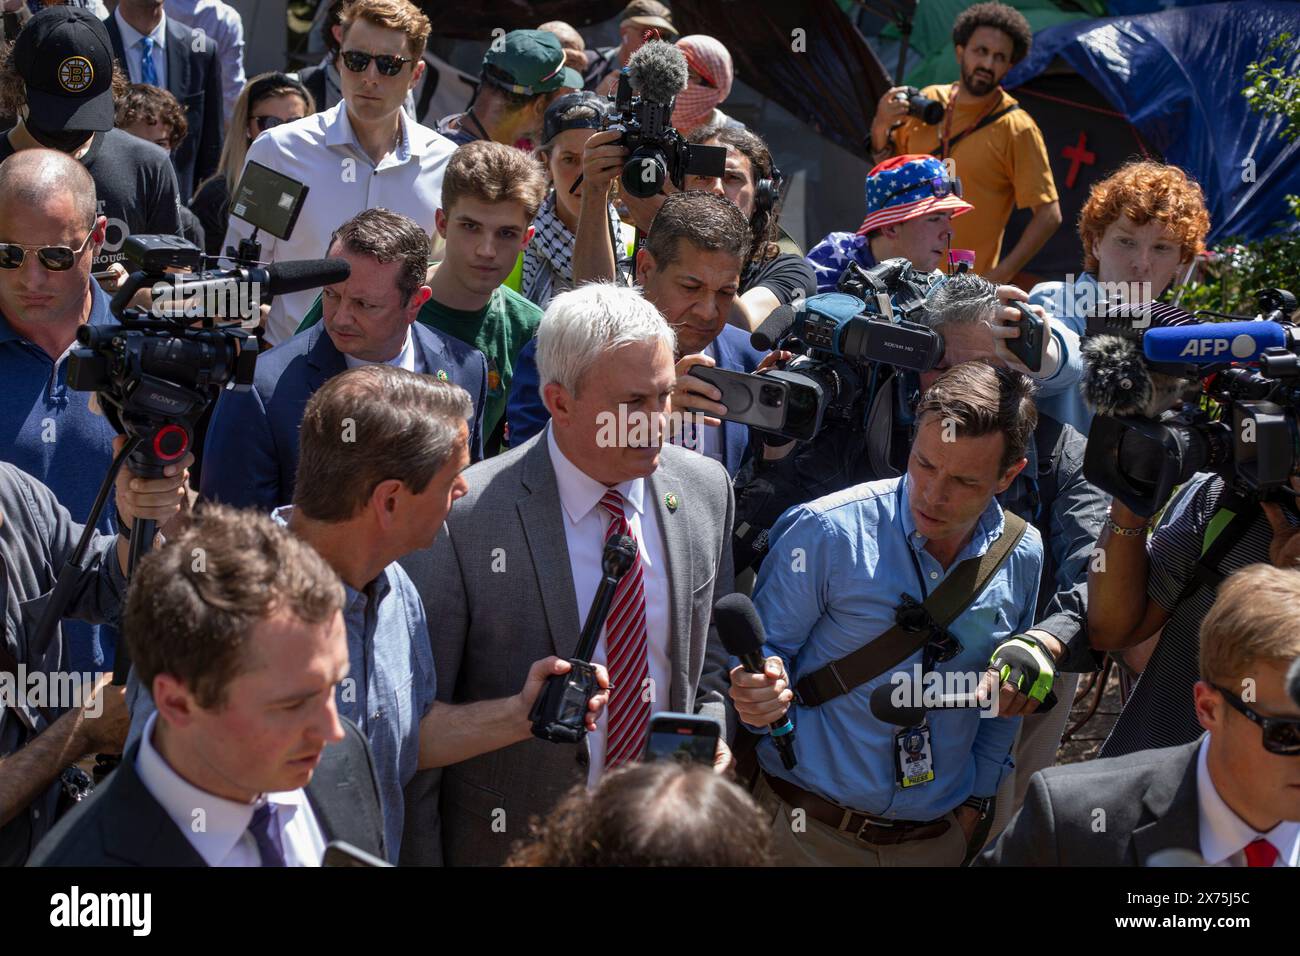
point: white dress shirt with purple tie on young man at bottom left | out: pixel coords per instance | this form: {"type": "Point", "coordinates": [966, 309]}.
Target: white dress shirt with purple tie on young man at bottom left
{"type": "Point", "coordinates": [216, 828]}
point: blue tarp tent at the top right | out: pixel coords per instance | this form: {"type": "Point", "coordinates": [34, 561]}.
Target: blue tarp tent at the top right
{"type": "Point", "coordinates": [1177, 76]}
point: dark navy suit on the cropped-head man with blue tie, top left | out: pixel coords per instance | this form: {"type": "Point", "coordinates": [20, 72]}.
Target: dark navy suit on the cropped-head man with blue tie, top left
{"type": "Point", "coordinates": [194, 79]}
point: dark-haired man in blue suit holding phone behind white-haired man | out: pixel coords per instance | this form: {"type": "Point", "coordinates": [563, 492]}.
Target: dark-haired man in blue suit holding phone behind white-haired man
{"type": "Point", "coordinates": [691, 272]}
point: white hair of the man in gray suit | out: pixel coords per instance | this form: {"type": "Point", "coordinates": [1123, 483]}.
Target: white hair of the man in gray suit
{"type": "Point", "coordinates": [586, 325]}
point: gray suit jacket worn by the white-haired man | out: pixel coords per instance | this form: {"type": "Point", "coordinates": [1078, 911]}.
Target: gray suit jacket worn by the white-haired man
{"type": "Point", "coordinates": [488, 626]}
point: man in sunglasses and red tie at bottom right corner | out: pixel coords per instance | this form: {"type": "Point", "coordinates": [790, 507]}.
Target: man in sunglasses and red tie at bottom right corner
{"type": "Point", "coordinates": [1230, 799]}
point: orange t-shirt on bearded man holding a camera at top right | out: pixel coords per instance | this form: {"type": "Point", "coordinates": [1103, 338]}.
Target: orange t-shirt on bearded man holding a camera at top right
{"type": "Point", "coordinates": [1000, 166]}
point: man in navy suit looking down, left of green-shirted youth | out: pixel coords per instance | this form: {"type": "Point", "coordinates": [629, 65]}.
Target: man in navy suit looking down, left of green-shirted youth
{"type": "Point", "coordinates": [252, 453]}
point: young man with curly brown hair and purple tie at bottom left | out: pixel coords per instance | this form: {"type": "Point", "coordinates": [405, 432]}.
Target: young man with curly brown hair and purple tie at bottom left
{"type": "Point", "coordinates": [246, 762]}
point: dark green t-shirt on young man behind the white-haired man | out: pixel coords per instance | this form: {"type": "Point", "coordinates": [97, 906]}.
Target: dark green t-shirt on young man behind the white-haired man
{"type": "Point", "coordinates": [500, 331]}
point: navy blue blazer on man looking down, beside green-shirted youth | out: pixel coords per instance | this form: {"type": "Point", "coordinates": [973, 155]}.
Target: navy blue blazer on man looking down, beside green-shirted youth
{"type": "Point", "coordinates": [250, 458]}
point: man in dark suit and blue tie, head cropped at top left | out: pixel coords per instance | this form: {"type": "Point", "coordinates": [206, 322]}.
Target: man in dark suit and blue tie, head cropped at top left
{"type": "Point", "coordinates": [162, 53]}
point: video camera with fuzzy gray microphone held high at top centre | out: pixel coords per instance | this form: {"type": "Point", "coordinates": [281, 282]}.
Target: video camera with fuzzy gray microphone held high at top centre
{"type": "Point", "coordinates": [643, 110]}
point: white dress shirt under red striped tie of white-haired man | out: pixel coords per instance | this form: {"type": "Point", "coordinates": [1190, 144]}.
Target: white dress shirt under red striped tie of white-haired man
{"type": "Point", "coordinates": [586, 531]}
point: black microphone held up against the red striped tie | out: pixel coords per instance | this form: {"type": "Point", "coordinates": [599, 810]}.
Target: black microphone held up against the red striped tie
{"type": "Point", "coordinates": [560, 712]}
